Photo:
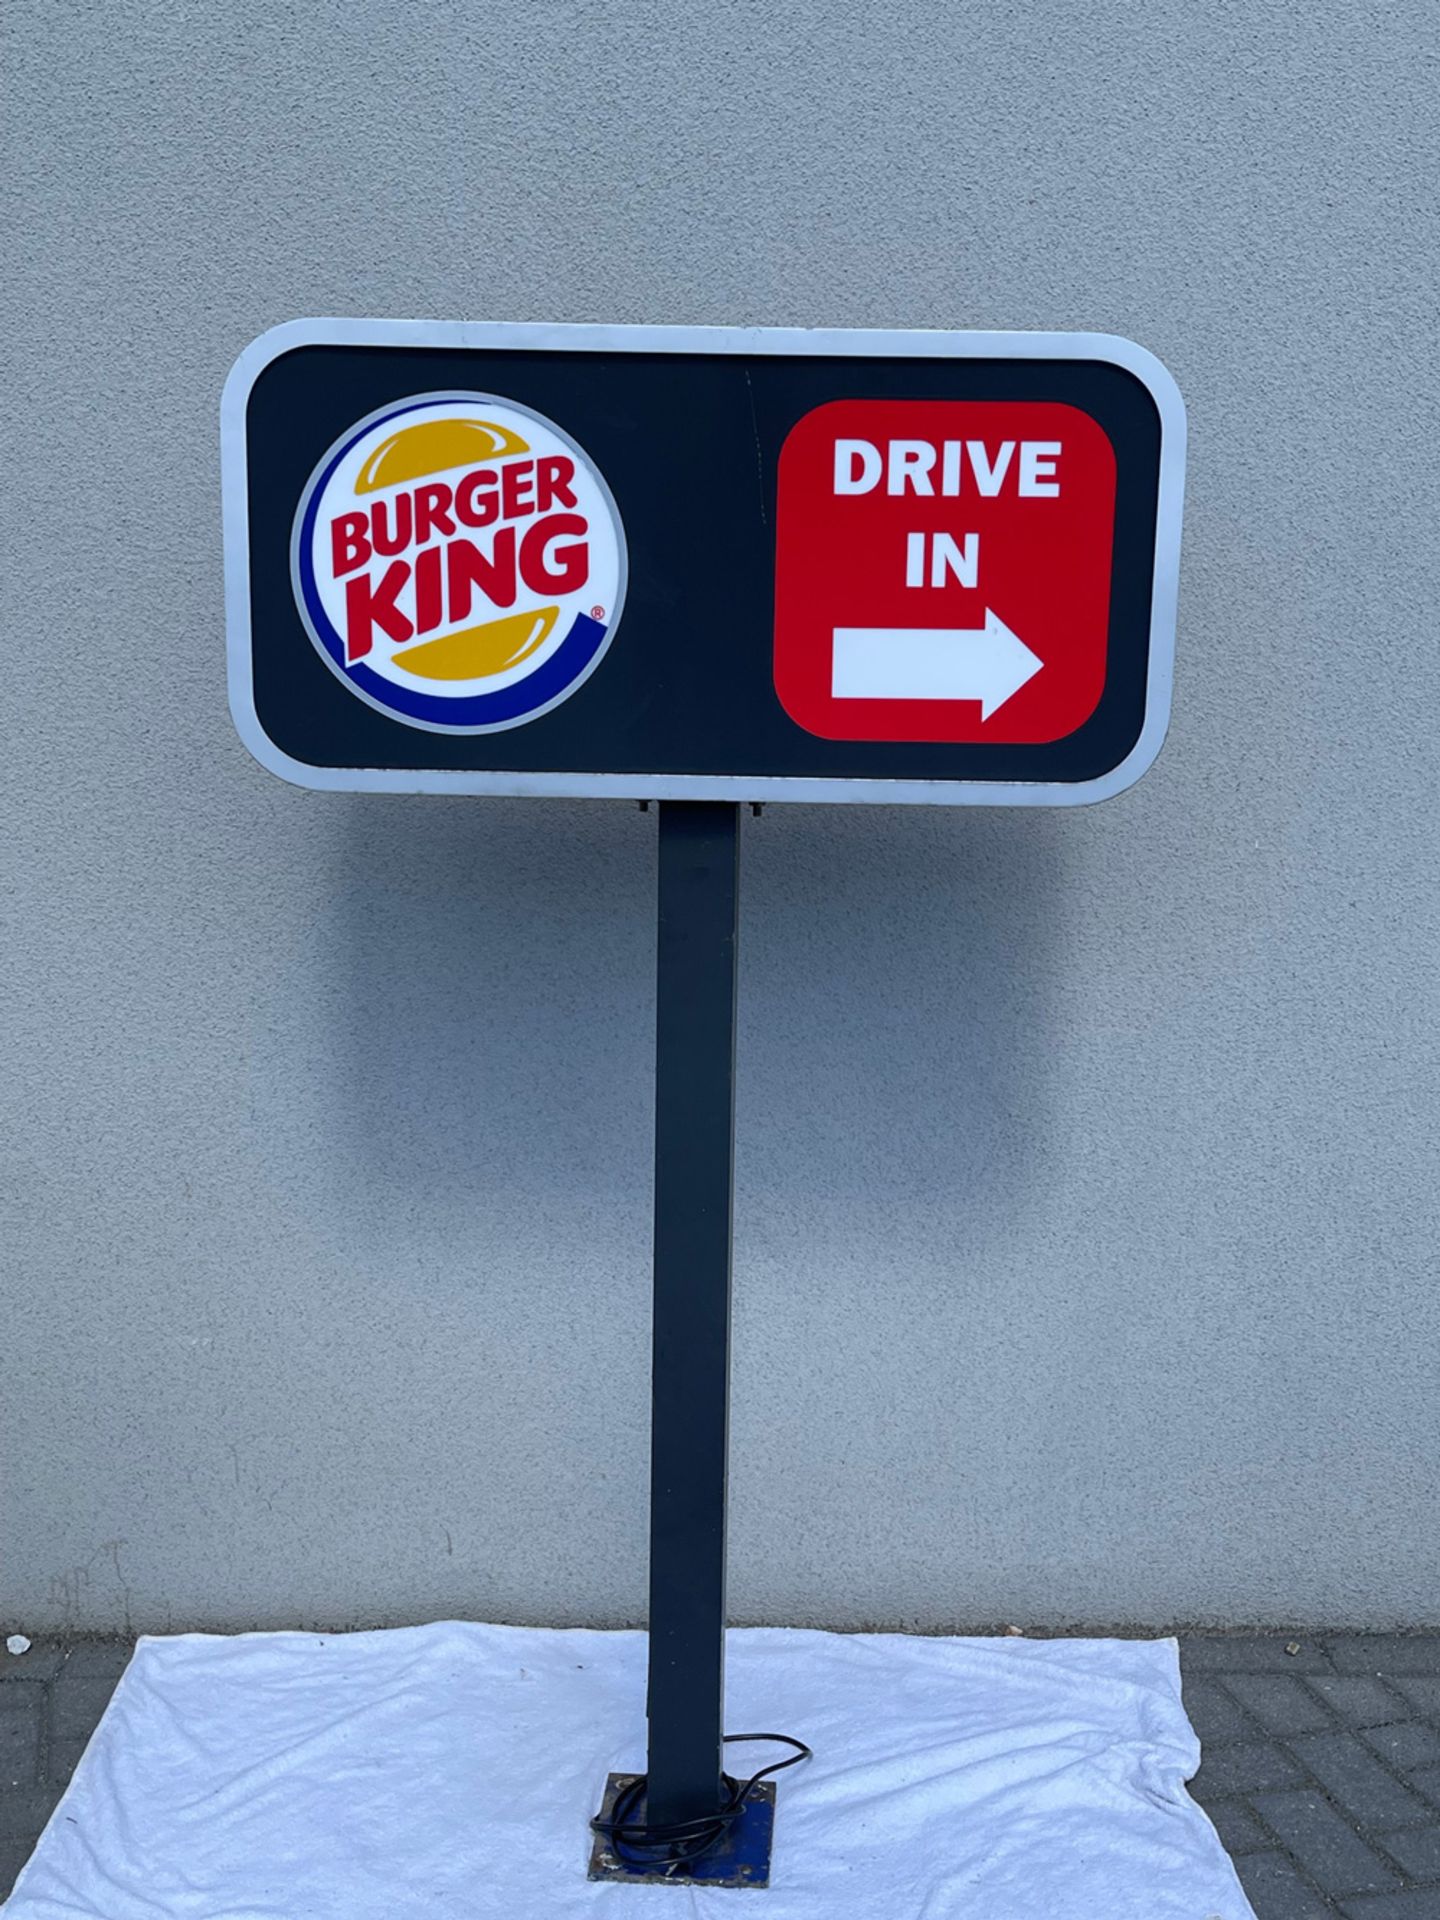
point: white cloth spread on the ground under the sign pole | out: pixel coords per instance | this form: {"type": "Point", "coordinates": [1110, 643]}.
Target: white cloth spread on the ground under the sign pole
{"type": "Point", "coordinates": [446, 1773]}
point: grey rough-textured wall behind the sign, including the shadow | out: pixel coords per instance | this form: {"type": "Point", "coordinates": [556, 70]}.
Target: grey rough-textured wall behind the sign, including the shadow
{"type": "Point", "coordinates": [1088, 1209]}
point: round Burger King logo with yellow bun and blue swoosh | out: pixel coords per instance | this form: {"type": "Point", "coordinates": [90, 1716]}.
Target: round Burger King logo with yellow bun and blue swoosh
{"type": "Point", "coordinates": [460, 564]}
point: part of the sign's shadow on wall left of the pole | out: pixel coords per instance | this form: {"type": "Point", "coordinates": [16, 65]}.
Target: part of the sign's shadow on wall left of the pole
{"type": "Point", "coordinates": [494, 1028]}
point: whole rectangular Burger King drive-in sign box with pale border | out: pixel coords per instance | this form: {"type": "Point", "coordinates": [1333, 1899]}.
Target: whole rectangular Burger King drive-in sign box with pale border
{"type": "Point", "coordinates": [702, 564]}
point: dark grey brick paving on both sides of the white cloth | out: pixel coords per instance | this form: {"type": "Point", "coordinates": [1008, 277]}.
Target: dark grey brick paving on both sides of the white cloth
{"type": "Point", "coordinates": [1322, 1765]}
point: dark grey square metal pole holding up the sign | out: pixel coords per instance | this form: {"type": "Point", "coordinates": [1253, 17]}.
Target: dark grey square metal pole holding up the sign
{"type": "Point", "coordinates": [690, 1385]}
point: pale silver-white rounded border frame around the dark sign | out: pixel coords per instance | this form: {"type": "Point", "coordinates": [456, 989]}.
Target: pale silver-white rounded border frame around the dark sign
{"type": "Point", "coordinates": [746, 341]}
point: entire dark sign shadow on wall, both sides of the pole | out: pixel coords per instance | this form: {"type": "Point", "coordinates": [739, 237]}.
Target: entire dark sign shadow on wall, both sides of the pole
{"type": "Point", "coordinates": [496, 1024]}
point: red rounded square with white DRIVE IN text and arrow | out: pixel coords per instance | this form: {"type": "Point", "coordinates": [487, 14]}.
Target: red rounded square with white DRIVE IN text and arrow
{"type": "Point", "coordinates": [944, 571]}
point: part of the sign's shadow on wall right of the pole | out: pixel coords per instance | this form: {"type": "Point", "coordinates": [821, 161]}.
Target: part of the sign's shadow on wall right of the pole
{"type": "Point", "coordinates": [898, 1019]}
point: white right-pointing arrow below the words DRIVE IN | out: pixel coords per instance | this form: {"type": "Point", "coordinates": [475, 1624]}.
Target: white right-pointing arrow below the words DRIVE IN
{"type": "Point", "coordinates": [932, 663]}
